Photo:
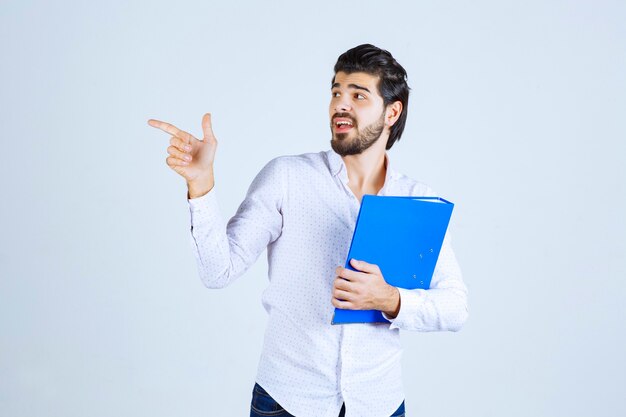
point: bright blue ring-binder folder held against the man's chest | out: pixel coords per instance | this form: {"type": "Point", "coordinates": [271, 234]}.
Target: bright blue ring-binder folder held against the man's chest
{"type": "Point", "coordinates": [403, 236]}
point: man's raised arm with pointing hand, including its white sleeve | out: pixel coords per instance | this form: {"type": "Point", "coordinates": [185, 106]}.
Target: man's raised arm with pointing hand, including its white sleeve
{"type": "Point", "coordinates": [223, 252]}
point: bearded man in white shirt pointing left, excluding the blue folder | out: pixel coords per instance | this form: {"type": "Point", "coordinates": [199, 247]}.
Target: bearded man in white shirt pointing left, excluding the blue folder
{"type": "Point", "coordinates": [303, 209]}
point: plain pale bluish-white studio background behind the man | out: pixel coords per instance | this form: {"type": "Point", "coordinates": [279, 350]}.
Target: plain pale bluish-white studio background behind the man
{"type": "Point", "coordinates": [517, 114]}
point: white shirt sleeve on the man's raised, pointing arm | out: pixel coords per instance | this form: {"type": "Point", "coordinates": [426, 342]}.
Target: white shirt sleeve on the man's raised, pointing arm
{"type": "Point", "coordinates": [224, 252]}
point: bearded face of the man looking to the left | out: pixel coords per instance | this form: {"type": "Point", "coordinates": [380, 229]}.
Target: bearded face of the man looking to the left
{"type": "Point", "coordinates": [357, 113]}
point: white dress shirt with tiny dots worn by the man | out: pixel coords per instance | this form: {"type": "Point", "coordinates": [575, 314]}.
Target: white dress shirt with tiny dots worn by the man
{"type": "Point", "coordinates": [301, 209]}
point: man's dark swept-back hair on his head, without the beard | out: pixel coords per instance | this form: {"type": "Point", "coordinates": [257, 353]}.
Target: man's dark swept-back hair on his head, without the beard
{"type": "Point", "coordinates": [392, 85]}
